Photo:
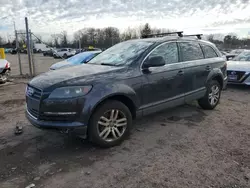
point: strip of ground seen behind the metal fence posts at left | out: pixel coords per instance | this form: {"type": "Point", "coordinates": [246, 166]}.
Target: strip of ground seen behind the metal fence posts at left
{"type": "Point", "coordinates": [42, 64]}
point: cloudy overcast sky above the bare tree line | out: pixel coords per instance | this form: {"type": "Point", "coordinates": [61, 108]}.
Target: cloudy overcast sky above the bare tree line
{"type": "Point", "coordinates": [192, 16]}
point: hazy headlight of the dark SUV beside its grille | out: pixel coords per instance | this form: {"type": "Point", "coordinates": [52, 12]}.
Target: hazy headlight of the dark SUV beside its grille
{"type": "Point", "coordinates": [70, 92]}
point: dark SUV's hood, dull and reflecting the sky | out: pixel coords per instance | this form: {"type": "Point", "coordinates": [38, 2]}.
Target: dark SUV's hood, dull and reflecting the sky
{"type": "Point", "coordinates": [82, 73]}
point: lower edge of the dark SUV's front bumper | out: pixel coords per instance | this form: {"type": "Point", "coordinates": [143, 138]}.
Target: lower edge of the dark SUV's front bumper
{"type": "Point", "coordinates": [76, 127]}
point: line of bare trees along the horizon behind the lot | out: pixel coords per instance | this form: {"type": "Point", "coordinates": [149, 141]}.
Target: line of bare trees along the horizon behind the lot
{"type": "Point", "coordinates": [106, 37]}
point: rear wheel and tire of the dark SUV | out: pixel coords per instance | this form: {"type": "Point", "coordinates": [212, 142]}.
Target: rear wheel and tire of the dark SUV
{"type": "Point", "coordinates": [212, 96]}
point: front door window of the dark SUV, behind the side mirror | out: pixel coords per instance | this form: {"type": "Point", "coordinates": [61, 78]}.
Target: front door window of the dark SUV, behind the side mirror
{"type": "Point", "coordinates": [168, 51]}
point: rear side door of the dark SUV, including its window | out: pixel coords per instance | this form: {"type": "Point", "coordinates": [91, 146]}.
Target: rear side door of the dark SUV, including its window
{"type": "Point", "coordinates": [196, 68]}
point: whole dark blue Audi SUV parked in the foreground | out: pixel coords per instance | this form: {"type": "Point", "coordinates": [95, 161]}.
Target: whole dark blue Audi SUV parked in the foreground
{"type": "Point", "coordinates": [129, 80]}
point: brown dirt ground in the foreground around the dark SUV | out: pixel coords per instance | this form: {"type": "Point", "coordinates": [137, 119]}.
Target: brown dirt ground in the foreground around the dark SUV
{"type": "Point", "coordinates": [184, 147]}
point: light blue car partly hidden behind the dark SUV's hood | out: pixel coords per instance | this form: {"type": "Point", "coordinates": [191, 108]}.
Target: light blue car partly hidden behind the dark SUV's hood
{"type": "Point", "coordinates": [75, 60]}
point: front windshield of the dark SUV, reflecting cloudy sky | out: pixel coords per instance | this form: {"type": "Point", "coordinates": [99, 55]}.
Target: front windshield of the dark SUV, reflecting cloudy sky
{"type": "Point", "coordinates": [121, 54]}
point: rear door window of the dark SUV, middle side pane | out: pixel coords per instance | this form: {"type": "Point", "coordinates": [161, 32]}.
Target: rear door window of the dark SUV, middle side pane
{"type": "Point", "coordinates": [191, 51]}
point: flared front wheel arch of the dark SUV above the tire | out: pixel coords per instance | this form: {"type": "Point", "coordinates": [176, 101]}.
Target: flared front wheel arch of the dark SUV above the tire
{"type": "Point", "coordinates": [99, 93]}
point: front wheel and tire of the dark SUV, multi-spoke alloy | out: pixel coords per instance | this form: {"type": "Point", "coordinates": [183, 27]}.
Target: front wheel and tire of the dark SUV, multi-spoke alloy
{"type": "Point", "coordinates": [98, 124]}
